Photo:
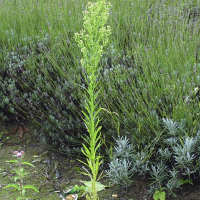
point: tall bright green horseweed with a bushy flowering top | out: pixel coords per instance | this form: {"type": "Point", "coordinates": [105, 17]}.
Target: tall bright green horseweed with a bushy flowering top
{"type": "Point", "coordinates": [92, 40]}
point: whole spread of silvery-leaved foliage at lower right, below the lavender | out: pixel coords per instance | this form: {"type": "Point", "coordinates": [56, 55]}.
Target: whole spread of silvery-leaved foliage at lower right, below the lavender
{"type": "Point", "coordinates": [173, 162]}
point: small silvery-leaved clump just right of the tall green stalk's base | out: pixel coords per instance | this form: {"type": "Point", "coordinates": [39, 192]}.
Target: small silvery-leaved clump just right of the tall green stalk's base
{"type": "Point", "coordinates": [126, 162]}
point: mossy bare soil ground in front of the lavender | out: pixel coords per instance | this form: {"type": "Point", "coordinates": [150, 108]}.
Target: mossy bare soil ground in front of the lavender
{"type": "Point", "coordinates": [55, 172]}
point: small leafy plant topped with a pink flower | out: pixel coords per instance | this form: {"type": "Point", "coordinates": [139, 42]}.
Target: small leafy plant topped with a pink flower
{"type": "Point", "coordinates": [20, 175]}
